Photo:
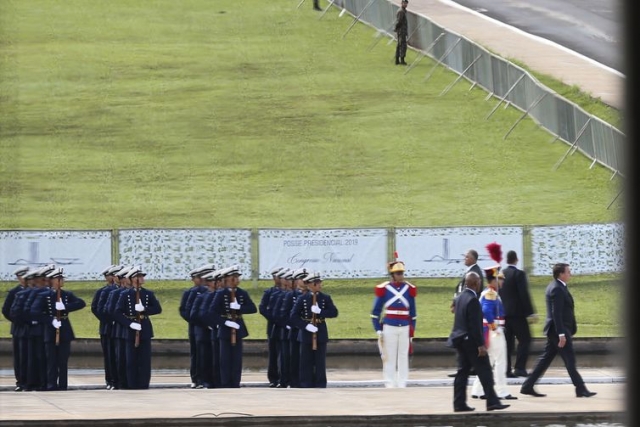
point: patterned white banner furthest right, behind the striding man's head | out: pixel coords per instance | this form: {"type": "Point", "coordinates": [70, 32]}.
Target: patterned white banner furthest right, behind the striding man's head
{"type": "Point", "coordinates": [587, 248]}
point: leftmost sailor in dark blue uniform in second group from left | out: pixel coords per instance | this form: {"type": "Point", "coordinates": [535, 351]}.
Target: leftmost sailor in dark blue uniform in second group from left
{"type": "Point", "coordinates": [104, 328]}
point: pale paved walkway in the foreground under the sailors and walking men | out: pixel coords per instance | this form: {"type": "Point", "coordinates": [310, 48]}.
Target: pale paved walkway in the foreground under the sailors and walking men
{"type": "Point", "coordinates": [350, 393]}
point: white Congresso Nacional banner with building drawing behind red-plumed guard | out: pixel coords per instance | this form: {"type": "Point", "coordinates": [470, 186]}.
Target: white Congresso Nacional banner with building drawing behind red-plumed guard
{"type": "Point", "coordinates": [439, 252]}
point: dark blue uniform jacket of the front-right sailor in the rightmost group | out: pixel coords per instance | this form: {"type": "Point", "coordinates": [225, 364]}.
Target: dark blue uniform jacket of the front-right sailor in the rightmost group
{"type": "Point", "coordinates": [301, 316]}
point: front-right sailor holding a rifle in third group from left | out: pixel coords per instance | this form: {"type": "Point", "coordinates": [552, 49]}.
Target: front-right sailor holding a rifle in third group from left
{"type": "Point", "coordinates": [230, 304]}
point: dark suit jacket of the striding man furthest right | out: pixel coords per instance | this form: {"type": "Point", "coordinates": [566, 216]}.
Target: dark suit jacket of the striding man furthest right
{"type": "Point", "coordinates": [560, 315]}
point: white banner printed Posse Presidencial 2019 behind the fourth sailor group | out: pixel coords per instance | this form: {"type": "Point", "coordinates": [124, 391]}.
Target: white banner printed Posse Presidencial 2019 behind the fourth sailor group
{"type": "Point", "coordinates": [338, 253]}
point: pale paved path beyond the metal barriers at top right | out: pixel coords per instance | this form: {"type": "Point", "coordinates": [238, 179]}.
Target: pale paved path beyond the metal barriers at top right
{"type": "Point", "coordinates": [538, 54]}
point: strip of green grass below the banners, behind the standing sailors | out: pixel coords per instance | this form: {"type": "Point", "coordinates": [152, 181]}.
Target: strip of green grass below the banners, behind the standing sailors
{"type": "Point", "coordinates": [597, 300]}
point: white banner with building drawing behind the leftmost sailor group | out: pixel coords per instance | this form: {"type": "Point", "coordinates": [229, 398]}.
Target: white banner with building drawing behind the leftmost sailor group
{"type": "Point", "coordinates": [82, 254]}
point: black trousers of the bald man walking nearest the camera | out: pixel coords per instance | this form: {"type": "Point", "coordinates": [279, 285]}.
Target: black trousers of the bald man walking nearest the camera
{"type": "Point", "coordinates": [468, 358]}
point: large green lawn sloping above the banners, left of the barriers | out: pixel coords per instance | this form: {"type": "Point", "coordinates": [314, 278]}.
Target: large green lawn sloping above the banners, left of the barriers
{"type": "Point", "coordinates": [256, 114]}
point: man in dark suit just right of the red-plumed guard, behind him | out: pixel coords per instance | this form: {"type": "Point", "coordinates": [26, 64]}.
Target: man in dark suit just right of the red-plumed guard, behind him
{"type": "Point", "coordinates": [519, 313]}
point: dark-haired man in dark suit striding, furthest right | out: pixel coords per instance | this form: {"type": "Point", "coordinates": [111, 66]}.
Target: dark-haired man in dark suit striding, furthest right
{"type": "Point", "coordinates": [560, 327]}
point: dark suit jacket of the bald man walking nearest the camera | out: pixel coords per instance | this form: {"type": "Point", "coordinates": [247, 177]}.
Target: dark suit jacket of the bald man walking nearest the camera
{"type": "Point", "coordinates": [467, 321]}
